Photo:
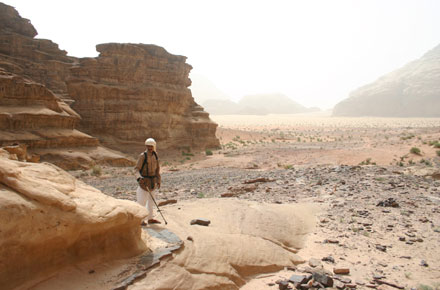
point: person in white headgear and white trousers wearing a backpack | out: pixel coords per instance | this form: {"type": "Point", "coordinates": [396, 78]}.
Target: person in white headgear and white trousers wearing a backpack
{"type": "Point", "coordinates": [148, 177]}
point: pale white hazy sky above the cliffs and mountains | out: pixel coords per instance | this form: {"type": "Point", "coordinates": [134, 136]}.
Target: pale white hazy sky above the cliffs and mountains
{"type": "Point", "coordinates": [315, 52]}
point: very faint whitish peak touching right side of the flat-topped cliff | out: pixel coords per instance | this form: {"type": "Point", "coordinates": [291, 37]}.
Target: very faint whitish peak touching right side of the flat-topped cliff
{"type": "Point", "coordinates": [203, 89]}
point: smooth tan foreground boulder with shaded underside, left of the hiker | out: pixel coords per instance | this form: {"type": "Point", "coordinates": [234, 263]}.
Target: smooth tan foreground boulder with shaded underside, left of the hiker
{"type": "Point", "coordinates": [49, 219]}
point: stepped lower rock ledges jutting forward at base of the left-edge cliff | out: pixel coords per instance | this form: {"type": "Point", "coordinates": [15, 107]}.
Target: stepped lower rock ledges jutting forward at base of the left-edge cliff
{"type": "Point", "coordinates": [32, 115]}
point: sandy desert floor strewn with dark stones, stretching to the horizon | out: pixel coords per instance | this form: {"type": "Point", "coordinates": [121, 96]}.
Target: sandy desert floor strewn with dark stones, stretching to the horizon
{"type": "Point", "coordinates": [376, 180]}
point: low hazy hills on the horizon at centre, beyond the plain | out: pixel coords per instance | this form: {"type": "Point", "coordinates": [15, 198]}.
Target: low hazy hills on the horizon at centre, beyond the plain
{"type": "Point", "coordinates": [256, 105]}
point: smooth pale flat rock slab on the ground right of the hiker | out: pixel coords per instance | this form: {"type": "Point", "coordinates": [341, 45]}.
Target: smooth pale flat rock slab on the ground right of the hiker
{"type": "Point", "coordinates": [243, 239]}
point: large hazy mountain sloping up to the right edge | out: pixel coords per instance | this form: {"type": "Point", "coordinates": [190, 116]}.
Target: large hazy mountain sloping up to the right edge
{"type": "Point", "coordinates": [411, 91]}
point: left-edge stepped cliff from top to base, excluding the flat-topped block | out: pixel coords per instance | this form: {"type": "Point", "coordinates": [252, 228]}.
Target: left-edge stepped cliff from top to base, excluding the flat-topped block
{"type": "Point", "coordinates": [33, 115]}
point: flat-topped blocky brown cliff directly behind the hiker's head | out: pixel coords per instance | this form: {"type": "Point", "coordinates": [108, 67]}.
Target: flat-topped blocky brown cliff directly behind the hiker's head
{"type": "Point", "coordinates": [134, 91]}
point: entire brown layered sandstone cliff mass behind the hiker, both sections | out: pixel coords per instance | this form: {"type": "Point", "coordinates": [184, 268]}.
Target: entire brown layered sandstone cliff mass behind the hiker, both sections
{"type": "Point", "coordinates": [127, 94]}
